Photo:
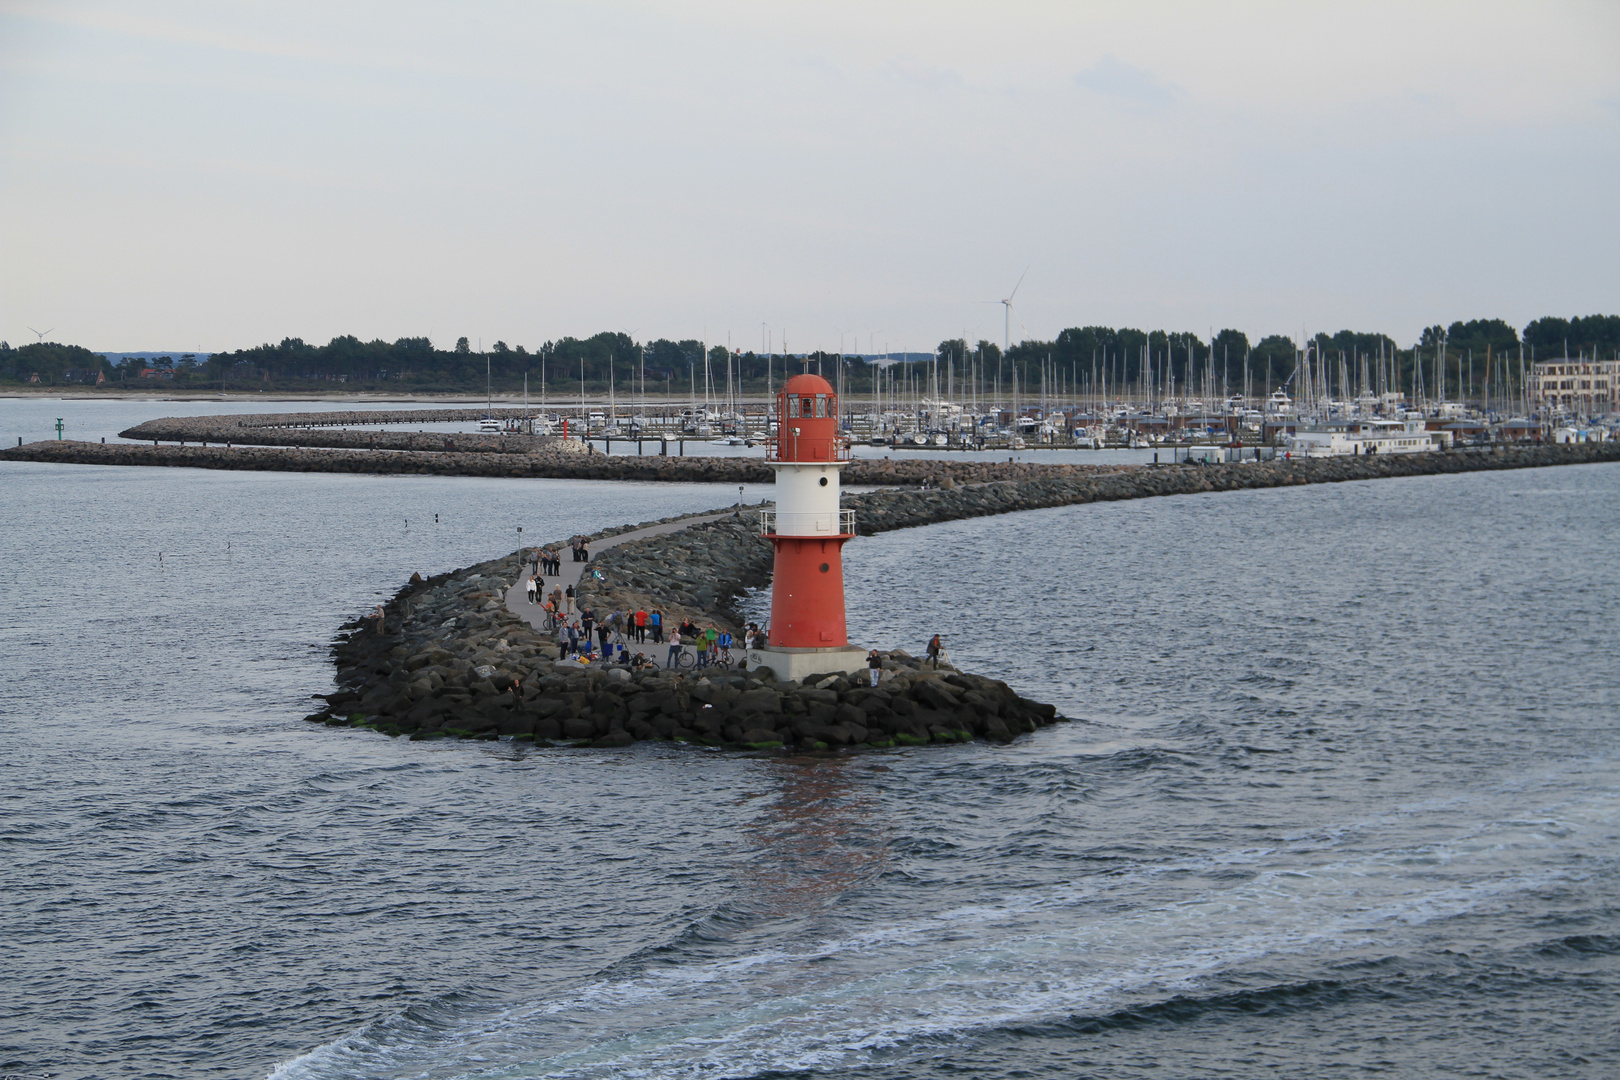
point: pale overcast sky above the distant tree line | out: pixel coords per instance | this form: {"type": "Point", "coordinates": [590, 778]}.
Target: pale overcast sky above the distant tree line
{"type": "Point", "coordinates": [205, 177]}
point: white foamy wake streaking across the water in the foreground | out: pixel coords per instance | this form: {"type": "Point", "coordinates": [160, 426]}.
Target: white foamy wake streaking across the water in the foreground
{"type": "Point", "coordinates": [1117, 942]}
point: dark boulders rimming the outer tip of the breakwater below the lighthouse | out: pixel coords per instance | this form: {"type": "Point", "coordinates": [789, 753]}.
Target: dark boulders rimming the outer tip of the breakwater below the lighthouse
{"type": "Point", "coordinates": [448, 660]}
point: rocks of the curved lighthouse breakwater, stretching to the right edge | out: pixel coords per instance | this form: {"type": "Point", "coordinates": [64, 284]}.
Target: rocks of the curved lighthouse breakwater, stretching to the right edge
{"type": "Point", "coordinates": [450, 658]}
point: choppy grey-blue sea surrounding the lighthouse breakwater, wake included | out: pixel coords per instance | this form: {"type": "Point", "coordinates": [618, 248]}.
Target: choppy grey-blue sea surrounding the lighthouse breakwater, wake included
{"type": "Point", "coordinates": [1339, 797]}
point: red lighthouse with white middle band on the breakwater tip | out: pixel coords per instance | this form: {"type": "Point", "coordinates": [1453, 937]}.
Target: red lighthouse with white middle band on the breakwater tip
{"type": "Point", "coordinates": [809, 532]}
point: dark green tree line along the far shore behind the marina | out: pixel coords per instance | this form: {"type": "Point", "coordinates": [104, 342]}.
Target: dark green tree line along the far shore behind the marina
{"type": "Point", "coordinates": [1080, 362]}
